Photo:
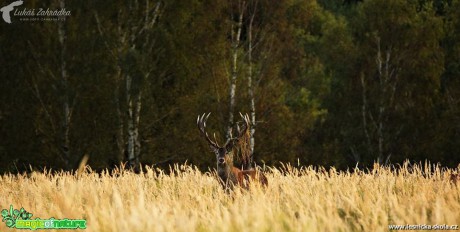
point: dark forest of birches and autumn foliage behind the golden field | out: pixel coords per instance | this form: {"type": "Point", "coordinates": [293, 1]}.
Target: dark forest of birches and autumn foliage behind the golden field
{"type": "Point", "coordinates": [324, 82]}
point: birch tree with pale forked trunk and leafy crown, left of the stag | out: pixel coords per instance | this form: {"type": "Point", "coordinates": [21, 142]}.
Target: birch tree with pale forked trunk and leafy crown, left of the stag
{"type": "Point", "coordinates": [132, 49]}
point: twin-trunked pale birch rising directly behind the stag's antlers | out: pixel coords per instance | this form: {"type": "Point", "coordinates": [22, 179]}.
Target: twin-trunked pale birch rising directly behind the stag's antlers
{"type": "Point", "coordinates": [252, 63]}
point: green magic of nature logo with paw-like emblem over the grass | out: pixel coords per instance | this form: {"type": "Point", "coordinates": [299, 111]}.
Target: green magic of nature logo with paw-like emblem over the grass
{"type": "Point", "coordinates": [21, 219]}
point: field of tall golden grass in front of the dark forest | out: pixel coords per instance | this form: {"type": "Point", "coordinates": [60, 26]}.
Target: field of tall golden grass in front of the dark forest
{"type": "Point", "coordinates": [296, 199]}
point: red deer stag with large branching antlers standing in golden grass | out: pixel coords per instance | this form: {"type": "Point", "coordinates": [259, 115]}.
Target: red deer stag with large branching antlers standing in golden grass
{"type": "Point", "coordinates": [229, 175]}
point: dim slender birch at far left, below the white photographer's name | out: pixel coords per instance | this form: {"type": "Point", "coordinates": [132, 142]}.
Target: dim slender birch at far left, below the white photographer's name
{"type": "Point", "coordinates": [59, 113]}
